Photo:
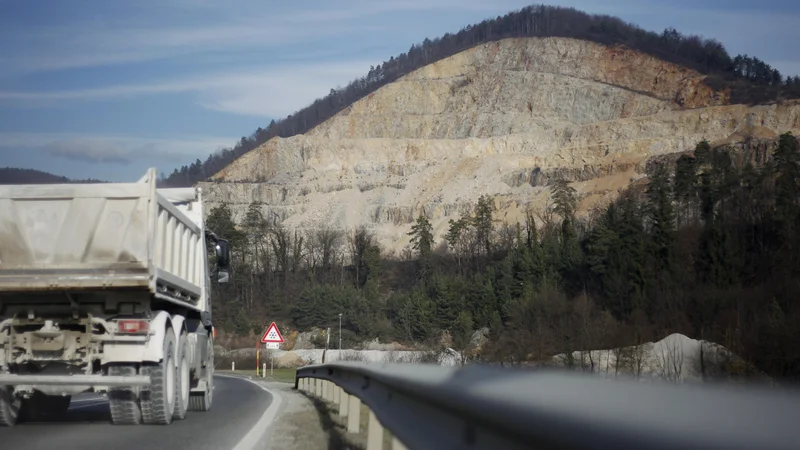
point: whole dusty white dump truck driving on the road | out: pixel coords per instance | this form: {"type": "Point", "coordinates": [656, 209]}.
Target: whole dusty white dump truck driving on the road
{"type": "Point", "coordinates": [105, 288]}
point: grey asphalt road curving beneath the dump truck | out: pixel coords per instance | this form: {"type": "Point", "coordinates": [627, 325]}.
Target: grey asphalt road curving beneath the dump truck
{"type": "Point", "coordinates": [238, 405]}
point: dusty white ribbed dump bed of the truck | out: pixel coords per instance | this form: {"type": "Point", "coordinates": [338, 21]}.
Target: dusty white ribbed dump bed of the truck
{"type": "Point", "coordinates": [88, 237]}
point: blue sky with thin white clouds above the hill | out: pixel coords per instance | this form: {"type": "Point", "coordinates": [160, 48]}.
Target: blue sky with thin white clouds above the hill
{"type": "Point", "coordinates": [105, 89]}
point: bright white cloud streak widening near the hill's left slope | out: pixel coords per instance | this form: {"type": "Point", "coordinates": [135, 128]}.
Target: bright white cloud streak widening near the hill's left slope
{"type": "Point", "coordinates": [267, 92]}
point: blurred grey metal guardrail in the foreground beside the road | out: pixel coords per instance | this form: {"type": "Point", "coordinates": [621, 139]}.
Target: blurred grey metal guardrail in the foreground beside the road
{"type": "Point", "coordinates": [481, 407]}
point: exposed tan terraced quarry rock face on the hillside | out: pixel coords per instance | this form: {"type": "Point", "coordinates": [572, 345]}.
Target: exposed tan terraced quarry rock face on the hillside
{"type": "Point", "coordinates": [502, 119]}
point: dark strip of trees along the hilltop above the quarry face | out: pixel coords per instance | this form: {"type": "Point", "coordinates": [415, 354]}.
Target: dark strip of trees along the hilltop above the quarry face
{"type": "Point", "coordinates": [750, 79]}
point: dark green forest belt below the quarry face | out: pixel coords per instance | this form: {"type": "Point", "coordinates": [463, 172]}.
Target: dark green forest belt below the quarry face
{"type": "Point", "coordinates": [708, 247]}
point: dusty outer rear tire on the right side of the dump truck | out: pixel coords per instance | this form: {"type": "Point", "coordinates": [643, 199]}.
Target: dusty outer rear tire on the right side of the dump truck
{"type": "Point", "coordinates": [158, 400]}
